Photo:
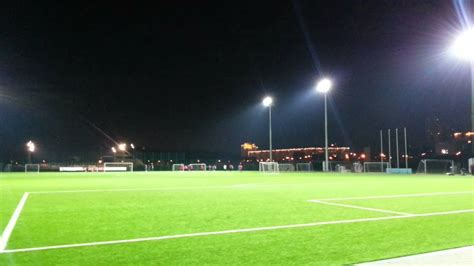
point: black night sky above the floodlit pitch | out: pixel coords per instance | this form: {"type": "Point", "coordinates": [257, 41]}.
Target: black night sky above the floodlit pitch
{"type": "Point", "coordinates": [190, 75]}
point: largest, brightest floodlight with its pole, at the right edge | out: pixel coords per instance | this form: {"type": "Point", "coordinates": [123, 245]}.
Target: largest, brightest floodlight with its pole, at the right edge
{"type": "Point", "coordinates": [463, 48]}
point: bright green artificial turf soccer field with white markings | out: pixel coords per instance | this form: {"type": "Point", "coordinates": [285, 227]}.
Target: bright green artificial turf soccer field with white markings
{"type": "Point", "coordinates": [230, 217]}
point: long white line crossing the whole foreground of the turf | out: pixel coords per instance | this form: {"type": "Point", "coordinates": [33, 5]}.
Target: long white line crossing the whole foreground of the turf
{"type": "Point", "coordinates": [278, 227]}
